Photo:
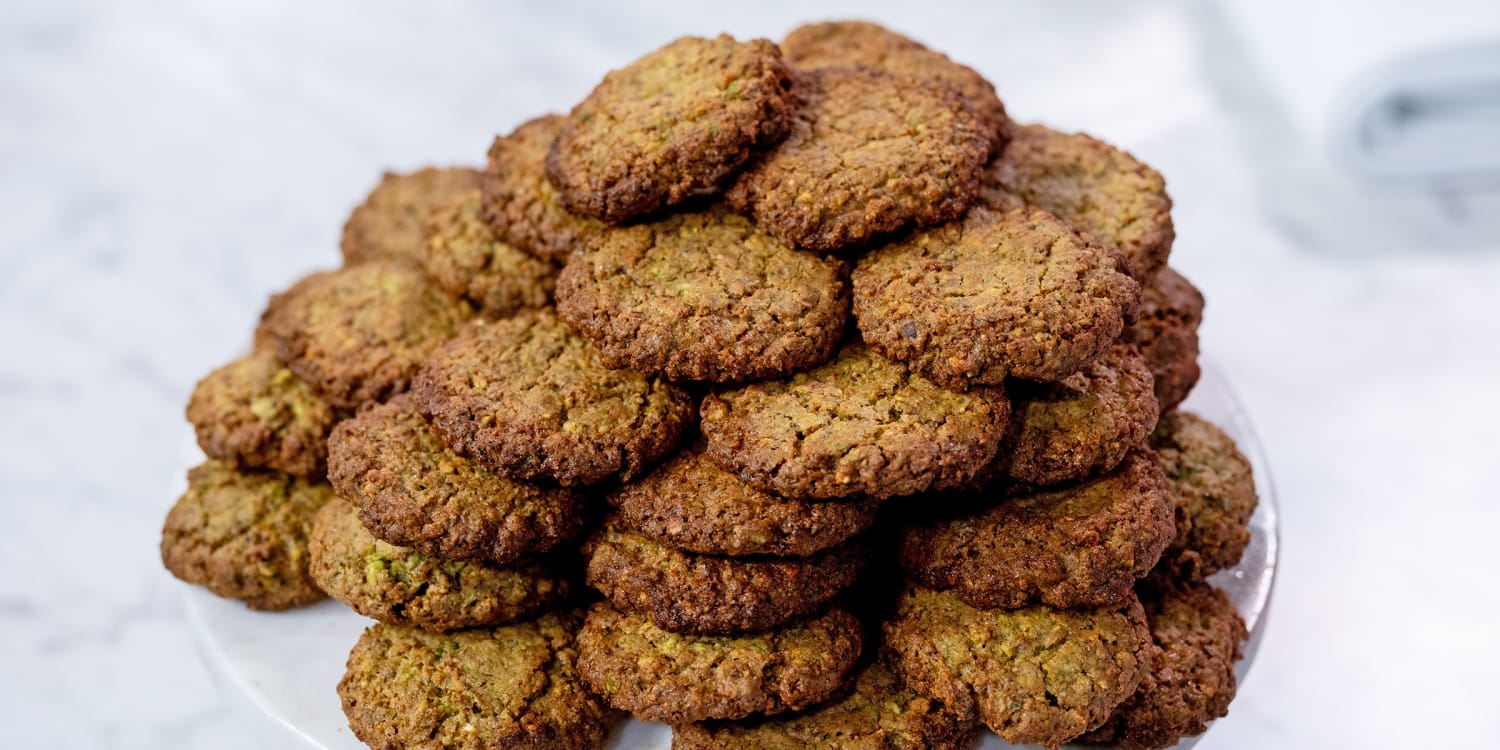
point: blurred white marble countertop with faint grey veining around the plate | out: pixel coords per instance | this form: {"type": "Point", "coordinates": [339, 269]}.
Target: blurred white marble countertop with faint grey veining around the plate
{"type": "Point", "coordinates": [167, 166]}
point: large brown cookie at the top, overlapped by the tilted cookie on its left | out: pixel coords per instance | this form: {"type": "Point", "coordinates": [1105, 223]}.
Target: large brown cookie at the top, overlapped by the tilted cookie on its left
{"type": "Point", "coordinates": [869, 154]}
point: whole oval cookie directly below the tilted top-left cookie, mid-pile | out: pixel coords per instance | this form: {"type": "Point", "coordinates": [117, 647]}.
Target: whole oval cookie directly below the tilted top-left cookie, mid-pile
{"type": "Point", "coordinates": [707, 298]}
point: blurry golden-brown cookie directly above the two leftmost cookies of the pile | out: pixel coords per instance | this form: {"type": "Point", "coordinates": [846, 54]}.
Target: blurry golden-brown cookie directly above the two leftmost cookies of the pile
{"type": "Point", "coordinates": [359, 334]}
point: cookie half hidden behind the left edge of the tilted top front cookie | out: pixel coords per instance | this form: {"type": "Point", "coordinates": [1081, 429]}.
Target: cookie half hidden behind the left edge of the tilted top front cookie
{"type": "Point", "coordinates": [520, 202]}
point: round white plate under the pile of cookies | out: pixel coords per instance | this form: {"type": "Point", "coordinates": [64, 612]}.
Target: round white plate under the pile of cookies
{"type": "Point", "coordinates": [280, 670]}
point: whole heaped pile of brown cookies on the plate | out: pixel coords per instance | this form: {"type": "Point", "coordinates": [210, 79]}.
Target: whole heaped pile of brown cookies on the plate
{"type": "Point", "coordinates": [790, 395]}
